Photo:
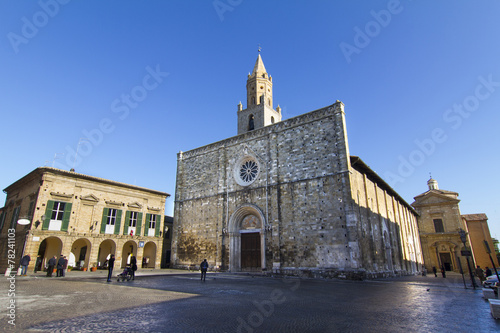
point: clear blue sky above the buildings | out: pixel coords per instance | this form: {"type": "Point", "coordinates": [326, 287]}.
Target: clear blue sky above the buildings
{"type": "Point", "coordinates": [420, 81]}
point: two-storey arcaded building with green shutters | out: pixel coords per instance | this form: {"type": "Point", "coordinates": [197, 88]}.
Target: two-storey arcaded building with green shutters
{"type": "Point", "coordinates": [82, 217]}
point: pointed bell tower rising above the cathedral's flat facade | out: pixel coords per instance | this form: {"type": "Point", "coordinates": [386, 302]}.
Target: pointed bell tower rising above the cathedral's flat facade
{"type": "Point", "coordinates": [259, 111]}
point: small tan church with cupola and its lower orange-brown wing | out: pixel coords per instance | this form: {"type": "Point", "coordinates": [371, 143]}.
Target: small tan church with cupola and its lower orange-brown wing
{"type": "Point", "coordinates": [439, 223]}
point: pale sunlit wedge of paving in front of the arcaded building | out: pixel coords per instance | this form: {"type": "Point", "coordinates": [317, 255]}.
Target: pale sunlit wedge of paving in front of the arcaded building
{"type": "Point", "coordinates": [42, 300]}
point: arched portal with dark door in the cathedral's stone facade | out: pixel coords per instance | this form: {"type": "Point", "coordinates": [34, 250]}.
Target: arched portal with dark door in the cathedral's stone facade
{"type": "Point", "coordinates": [247, 239]}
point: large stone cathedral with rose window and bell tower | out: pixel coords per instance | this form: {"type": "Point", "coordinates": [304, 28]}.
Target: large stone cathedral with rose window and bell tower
{"type": "Point", "coordinates": [286, 197]}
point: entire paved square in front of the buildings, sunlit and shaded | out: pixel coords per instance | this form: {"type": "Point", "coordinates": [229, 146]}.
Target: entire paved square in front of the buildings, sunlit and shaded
{"type": "Point", "coordinates": [245, 303]}
